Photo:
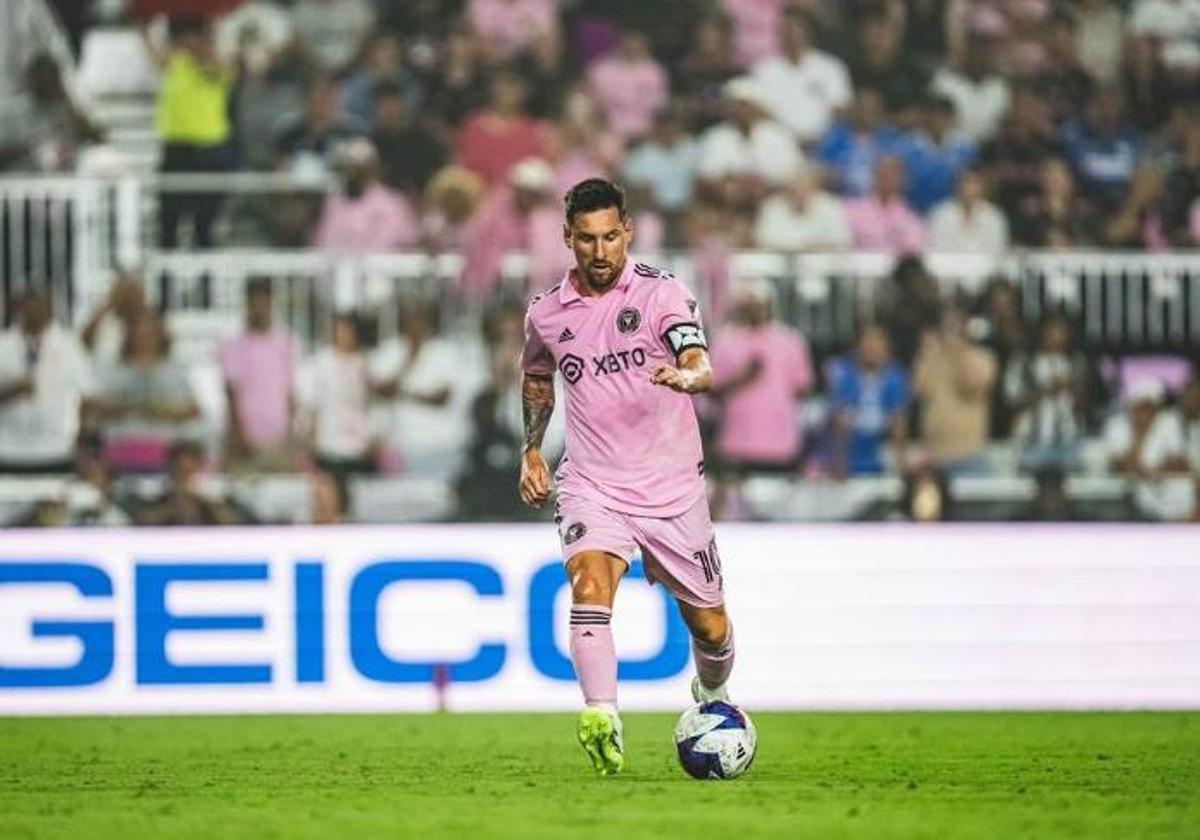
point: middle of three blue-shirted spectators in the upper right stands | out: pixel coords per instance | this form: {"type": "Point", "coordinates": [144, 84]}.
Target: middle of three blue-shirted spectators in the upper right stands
{"type": "Point", "coordinates": [935, 155]}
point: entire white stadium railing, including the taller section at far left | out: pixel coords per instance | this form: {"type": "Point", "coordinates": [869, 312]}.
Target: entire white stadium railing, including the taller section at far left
{"type": "Point", "coordinates": [71, 236]}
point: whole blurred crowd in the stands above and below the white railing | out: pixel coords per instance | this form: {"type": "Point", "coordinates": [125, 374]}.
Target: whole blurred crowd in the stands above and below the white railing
{"type": "Point", "coordinates": [799, 127]}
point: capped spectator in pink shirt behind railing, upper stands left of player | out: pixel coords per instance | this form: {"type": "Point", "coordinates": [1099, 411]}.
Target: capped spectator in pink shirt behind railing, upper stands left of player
{"type": "Point", "coordinates": [367, 215]}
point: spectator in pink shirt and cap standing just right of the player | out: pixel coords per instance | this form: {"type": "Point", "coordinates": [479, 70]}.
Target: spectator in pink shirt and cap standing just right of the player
{"type": "Point", "coordinates": [761, 368]}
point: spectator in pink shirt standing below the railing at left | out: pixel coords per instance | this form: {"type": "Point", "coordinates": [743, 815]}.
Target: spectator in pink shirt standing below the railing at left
{"type": "Point", "coordinates": [259, 368]}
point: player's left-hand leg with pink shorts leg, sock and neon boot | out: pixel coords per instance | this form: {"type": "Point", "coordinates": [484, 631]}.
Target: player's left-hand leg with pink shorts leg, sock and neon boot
{"type": "Point", "coordinates": [598, 545]}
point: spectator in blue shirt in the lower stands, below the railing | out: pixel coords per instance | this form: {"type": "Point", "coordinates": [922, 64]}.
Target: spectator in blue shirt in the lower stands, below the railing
{"type": "Point", "coordinates": [871, 405]}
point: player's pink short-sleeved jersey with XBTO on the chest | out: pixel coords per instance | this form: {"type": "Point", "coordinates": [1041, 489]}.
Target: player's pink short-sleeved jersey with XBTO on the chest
{"type": "Point", "coordinates": [632, 446]}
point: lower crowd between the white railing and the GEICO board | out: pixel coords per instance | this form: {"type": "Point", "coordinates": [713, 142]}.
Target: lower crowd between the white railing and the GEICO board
{"type": "Point", "coordinates": [928, 393]}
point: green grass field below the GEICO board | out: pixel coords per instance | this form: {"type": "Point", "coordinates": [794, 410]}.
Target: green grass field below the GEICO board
{"type": "Point", "coordinates": [820, 776]}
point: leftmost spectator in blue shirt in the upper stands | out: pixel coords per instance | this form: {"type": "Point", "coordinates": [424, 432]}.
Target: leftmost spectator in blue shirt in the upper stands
{"type": "Point", "coordinates": [854, 147]}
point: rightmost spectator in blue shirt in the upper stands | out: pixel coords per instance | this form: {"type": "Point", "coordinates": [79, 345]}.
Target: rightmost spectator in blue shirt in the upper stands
{"type": "Point", "coordinates": [1105, 149]}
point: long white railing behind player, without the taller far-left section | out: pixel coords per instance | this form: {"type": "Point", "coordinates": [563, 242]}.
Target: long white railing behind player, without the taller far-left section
{"type": "Point", "coordinates": [1119, 302]}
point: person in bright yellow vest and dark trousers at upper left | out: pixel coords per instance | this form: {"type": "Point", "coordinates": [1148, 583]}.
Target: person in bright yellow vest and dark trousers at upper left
{"type": "Point", "coordinates": [193, 121]}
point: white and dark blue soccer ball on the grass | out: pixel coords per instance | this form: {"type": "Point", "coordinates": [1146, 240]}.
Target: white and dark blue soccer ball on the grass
{"type": "Point", "coordinates": [716, 741]}
